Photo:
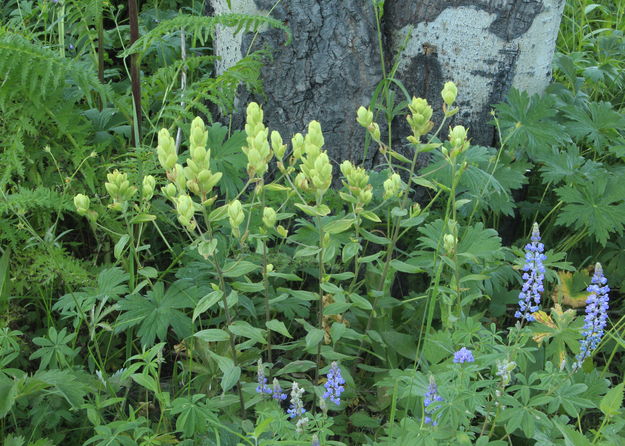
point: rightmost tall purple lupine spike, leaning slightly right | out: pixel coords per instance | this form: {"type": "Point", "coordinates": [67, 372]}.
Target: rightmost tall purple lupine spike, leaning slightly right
{"type": "Point", "coordinates": [596, 315]}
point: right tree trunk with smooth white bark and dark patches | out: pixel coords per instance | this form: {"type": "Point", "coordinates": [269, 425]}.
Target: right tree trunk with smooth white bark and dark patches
{"type": "Point", "coordinates": [484, 46]}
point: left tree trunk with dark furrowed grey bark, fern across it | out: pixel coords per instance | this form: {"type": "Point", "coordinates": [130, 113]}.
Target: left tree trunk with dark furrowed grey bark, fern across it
{"type": "Point", "coordinates": [328, 71]}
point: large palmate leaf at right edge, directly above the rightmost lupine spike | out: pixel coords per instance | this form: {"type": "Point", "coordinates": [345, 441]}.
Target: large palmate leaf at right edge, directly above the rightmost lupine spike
{"type": "Point", "coordinates": [596, 206]}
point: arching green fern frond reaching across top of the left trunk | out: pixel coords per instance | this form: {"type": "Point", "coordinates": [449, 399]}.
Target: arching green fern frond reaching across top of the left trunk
{"type": "Point", "coordinates": [202, 27]}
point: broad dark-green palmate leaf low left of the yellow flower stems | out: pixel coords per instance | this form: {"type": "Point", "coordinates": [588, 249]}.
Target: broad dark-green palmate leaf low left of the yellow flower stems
{"type": "Point", "coordinates": [159, 310]}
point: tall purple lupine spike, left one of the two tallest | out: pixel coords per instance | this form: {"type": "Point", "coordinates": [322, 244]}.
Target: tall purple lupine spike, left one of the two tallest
{"type": "Point", "coordinates": [529, 297]}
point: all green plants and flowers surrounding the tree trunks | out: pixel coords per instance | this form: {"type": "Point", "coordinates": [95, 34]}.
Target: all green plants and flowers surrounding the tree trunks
{"type": "Point", "coordinates": [208, 286]}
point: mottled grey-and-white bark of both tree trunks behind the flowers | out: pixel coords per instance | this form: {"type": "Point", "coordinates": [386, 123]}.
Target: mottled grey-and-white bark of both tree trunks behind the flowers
{"type": "Point", "coordinates": [333, 64]}
